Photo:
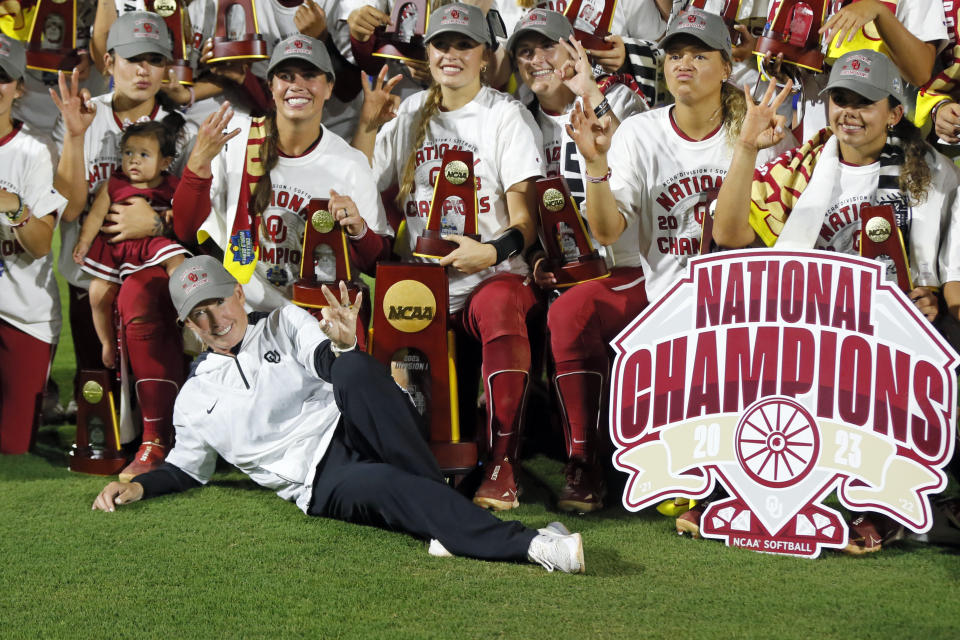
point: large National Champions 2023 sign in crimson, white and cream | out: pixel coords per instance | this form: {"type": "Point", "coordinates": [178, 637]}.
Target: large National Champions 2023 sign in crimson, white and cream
{"type": "Point", "coordinates": [784, 376]}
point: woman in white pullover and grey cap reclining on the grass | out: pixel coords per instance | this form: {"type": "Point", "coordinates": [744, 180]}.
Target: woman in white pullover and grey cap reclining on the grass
{"type": "Point", "coordinates": [291, 403]}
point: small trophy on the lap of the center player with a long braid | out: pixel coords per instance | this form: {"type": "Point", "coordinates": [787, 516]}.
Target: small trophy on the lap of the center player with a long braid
{"type": "Point", "coordinates": [454, 206]}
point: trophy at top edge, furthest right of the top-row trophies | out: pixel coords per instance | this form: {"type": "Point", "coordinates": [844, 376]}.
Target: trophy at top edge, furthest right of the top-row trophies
{"type": "Point", "coordinates": [792, 29]}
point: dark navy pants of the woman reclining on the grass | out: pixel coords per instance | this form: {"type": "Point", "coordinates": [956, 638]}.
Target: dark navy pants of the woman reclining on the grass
{"type": "Point", "coordinates": [379, 471]}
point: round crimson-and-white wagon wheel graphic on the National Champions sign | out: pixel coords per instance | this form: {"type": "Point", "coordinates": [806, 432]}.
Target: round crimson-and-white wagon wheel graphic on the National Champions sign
{"type": "Point", "coordinates": [777, 442]}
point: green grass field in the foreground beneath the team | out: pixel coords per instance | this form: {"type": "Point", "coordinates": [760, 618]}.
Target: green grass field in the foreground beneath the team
{"type": "Point", "coordinates": [232, 560]}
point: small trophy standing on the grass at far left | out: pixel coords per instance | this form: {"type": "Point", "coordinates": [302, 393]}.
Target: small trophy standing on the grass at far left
{"type": "Point", "coordinates": [98, 450]}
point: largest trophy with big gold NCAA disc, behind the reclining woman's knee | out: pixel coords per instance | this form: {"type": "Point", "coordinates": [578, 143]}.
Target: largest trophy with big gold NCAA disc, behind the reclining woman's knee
{"type": "Point", "coordinates": [411, 336]}
